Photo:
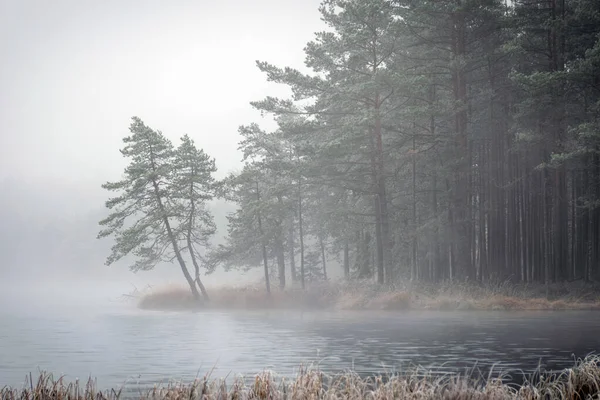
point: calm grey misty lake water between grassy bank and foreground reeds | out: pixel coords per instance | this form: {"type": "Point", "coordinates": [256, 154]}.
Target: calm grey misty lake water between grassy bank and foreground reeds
{"type": "Point", "coordinates": [116, 343]}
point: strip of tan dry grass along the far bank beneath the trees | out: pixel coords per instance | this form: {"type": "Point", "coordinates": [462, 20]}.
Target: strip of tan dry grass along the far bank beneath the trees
{"type": "Point", "coordinates": [368, 296]}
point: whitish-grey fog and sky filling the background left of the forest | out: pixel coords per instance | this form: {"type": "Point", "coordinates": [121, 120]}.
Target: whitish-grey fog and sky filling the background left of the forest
{"type": "Point", "coordinates": [73, 73]}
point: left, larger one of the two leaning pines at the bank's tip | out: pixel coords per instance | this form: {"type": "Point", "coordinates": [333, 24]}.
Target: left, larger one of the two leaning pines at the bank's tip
{"type": "Point", "coordinates": [143, 212]}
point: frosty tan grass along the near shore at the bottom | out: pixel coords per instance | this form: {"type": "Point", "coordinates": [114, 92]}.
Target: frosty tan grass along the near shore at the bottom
{"type": "Point", "coordinates": [580, 382]}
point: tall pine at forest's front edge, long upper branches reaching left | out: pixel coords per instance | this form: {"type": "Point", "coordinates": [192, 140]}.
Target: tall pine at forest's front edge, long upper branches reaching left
{"type": "Point", "coordinates": [350, 97]}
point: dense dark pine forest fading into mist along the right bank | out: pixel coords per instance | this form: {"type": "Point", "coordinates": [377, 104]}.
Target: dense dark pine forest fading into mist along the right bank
{"type": "Point", "coordinates": [432, 140]}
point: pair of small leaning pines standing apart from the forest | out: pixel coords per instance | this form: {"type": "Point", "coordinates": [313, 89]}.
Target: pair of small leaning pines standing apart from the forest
{"type": "Point", "coordinates": [159, 212]}
